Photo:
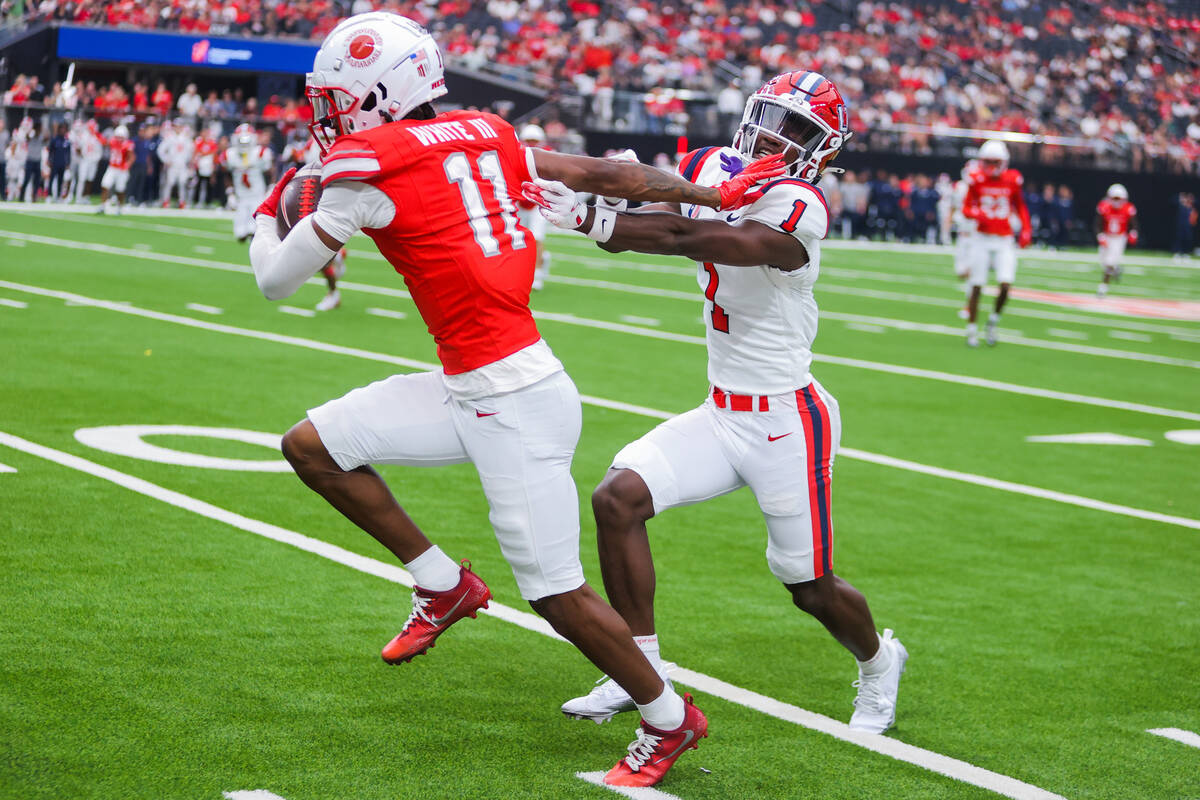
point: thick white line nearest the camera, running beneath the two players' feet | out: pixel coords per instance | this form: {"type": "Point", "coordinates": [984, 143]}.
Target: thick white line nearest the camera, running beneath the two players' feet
{"type": "Point", "coordinates": [895, 749]}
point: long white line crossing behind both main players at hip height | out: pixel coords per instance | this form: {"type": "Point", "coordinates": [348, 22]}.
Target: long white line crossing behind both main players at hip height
{"type": "Point", "coordinates": [848, 453]}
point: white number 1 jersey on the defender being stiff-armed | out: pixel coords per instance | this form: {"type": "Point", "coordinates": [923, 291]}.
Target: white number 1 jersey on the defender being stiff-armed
{"type": "Point", "coordinates": [760, 321]}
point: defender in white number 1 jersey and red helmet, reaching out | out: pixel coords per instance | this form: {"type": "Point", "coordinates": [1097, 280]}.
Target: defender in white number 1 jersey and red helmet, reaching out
{"type": "Point", "coordinates": [767, 424]}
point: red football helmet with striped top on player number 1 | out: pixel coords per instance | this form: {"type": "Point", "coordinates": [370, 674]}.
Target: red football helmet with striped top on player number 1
{"type": "Point", "coordinates": [802, 110]}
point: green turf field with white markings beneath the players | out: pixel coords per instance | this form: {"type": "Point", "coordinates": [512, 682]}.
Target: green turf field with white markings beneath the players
{"type": "Point", "coordinates": [169, 634]}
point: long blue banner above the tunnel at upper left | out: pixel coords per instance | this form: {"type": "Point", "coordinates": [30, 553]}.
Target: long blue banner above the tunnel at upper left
{"type": "Point", "coordinates": [179, 50]}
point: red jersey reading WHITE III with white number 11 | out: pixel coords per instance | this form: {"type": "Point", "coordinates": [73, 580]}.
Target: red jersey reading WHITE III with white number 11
{"type": "Point", "coordinates": [455, 237]}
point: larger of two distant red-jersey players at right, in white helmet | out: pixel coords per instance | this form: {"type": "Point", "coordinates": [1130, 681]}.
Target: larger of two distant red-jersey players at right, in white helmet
{"type": "Point", "coordinates": [994, 195]}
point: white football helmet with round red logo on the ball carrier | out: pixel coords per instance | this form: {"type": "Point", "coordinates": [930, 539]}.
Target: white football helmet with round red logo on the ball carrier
{"type": "Point", "coordinates": [373, 69]}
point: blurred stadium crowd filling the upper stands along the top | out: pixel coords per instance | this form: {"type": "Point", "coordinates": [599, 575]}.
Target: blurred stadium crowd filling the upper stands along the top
{"type": "Point", "coordinates": [1091, 70]}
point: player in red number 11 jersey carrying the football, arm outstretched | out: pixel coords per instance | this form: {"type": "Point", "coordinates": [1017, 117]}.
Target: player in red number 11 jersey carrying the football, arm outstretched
{"type": "Point", "coordinates": [437, 194]}
